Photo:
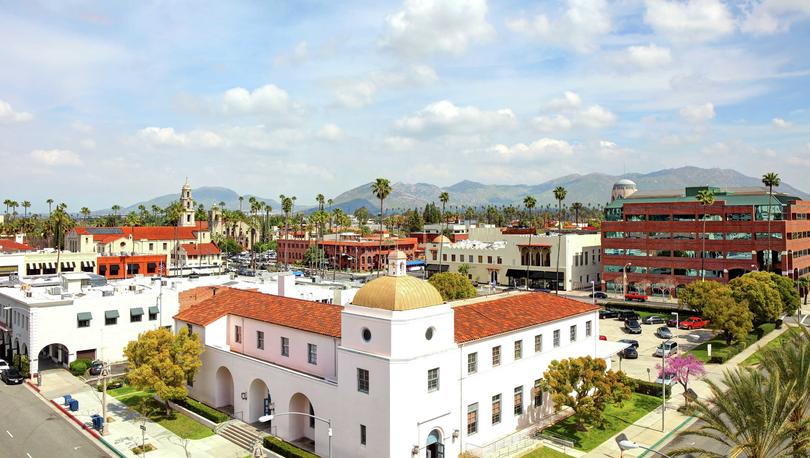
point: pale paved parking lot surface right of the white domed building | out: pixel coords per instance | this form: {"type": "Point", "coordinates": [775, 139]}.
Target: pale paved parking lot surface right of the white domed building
{"type": "Point", "coordinates": [613, 330]}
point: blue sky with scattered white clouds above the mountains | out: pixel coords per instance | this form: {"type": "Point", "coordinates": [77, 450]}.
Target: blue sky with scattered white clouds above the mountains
{"type": "Point", "coordinates": [117, 102]}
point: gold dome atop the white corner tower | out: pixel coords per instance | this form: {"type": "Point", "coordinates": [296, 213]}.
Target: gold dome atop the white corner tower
{"type": "Point", "coordinates": [397, 293]}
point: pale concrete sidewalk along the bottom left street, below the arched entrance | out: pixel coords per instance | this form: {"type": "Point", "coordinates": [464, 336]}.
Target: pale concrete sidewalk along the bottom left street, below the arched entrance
{"type": "Point", "coordinates": [125, 430]}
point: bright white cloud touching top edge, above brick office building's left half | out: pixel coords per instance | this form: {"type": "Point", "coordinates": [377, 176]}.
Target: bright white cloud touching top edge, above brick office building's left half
{"type": "Point", "coordinates": [690, 20]}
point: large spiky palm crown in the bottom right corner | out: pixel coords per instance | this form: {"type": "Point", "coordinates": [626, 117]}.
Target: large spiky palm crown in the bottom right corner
{"type": "Point", "coordinates": [751, 417]}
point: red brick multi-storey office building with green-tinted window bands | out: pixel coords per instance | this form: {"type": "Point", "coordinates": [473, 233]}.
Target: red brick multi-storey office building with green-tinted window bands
{"type": "Point", "coordinates": [655, 241]}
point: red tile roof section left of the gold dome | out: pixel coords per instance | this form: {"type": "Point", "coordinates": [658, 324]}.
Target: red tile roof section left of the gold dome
{"type": "Point", "coordinates": [309, 316]}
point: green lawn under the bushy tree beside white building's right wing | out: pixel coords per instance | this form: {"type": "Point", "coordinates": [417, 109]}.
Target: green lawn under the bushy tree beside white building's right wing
{"type": "Point", "coordinates": [616, 419]}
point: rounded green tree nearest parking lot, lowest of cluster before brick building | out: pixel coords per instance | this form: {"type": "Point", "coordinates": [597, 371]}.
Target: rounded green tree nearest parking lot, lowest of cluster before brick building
{"type": "Point", "coordinates": [724, 313]}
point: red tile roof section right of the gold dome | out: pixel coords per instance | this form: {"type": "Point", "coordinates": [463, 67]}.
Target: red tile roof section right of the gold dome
{"type": "Point", "coordinates": [488, 318]}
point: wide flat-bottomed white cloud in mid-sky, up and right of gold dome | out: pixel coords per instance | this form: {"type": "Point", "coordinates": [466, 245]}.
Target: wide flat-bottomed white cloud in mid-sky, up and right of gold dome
{"type": "Point", "coordinates": [445, 117]}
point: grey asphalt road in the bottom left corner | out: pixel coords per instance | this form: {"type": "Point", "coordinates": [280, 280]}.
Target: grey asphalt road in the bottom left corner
{"type": "Point", "coordinates": [29, 428]}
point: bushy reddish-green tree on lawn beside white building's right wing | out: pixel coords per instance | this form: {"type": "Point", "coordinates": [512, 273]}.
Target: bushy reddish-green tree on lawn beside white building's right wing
{"type": "Point", "coordinates": [586, 386]}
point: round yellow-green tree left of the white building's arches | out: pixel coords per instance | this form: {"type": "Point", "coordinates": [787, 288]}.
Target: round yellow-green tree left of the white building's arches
{"type": "Point", "coordinates": [164, 362]}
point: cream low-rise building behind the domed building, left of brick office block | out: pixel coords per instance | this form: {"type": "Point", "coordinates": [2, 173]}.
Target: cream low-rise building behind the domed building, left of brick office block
{"type": "Point", "coordinates": [502, 257]}
